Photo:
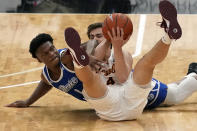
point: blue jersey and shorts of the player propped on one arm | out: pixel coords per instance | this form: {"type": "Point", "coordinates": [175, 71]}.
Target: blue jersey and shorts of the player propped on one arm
{"type": "Point", "coordinates": [69, 83]}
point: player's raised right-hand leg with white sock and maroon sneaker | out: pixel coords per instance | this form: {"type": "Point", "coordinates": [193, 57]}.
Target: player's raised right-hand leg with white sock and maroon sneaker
{"type": "Point", "coordinates": [143, 70]}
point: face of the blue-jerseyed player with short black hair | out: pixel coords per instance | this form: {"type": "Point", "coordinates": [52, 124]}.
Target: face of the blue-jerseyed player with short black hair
{"type": "Point", "coordinates": [48, 54]}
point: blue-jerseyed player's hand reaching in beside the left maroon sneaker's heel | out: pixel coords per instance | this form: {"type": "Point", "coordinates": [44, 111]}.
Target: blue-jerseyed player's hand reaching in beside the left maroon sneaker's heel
{"type": "Point", "coordinates": [95, 64]}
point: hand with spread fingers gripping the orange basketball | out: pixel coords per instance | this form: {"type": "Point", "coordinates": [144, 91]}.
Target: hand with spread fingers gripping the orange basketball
{"type": "Point", "coordinates": [117, 37]}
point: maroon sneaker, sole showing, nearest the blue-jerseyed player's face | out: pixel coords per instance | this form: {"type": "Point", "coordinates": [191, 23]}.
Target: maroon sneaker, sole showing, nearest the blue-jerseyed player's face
{"type": "Point", "coordinates": [73, 41]}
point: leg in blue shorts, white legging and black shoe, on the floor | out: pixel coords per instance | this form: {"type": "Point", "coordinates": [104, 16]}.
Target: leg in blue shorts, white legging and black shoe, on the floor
{"type": "Point", "coordinates": [173, 93]}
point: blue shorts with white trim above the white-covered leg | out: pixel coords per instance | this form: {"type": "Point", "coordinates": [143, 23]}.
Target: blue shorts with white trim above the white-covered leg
{"type": "Point", "coordinates": [157, 95]}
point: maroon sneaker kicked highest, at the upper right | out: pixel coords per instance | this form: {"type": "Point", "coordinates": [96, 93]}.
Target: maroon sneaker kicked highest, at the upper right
{"type": "Point", "coordinates": [170, 22]}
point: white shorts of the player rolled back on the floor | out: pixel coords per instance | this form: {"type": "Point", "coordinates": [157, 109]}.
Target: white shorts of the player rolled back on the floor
{"type": "Point", "coordinates": [121, 102]}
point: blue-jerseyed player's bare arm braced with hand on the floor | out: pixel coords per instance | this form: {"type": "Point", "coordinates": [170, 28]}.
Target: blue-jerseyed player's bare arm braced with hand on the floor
{"type": "Point", "coordinates": [42, 88]}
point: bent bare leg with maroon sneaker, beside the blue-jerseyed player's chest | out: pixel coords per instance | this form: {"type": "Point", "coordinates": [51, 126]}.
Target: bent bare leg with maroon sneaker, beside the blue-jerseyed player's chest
{"type": "Point", "coordinates": [92, 82]}
